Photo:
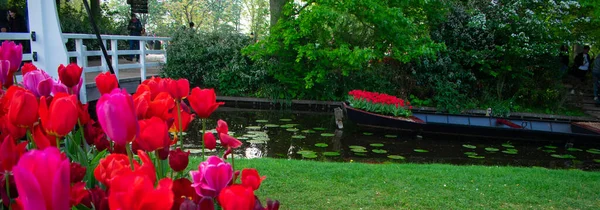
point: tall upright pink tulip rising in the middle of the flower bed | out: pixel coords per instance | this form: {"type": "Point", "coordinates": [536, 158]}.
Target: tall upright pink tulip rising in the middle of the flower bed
{"type": "Point", "coordinates": [117, 117]}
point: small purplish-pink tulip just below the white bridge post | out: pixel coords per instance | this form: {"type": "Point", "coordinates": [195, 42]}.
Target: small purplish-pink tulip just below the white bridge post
{"type": "Point", "coordinates": [38, 82]}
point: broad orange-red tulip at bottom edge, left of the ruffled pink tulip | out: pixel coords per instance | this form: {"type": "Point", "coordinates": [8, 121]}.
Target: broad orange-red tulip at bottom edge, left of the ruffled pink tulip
{"type": "Point", "coordinates": [136, 192]}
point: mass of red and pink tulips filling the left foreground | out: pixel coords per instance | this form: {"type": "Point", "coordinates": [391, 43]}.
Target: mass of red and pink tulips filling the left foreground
{"type": "Point", "coordinates": [53, 155]}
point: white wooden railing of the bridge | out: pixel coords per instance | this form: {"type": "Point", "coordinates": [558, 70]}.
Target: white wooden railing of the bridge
{"type": "Point", "coordinates": [81, 53]}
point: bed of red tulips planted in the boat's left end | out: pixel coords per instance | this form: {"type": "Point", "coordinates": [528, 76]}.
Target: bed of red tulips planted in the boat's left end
{"type": "Point", "coordinates": [379, 103]}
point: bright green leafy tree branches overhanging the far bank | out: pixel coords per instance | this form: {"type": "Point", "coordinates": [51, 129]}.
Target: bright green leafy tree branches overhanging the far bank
{"type": "Point", "coordinates": [320, 37]}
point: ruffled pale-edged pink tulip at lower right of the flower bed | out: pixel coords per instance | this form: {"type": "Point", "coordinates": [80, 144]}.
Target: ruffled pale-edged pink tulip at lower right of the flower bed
{"type": "Point", "coordinates": [212, 176]}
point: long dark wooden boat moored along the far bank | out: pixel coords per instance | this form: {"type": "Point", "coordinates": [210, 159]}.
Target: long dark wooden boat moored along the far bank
{"type": "Point", "coordinates": [479, 126]}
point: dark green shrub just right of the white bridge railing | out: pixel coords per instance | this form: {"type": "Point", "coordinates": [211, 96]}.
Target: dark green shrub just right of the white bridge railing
{"type": "Point", "coordinates": [213, 59]}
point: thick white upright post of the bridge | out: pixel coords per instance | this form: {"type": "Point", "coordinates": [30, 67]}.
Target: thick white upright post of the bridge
{"type": "Point", "coordinates": [48, 49]}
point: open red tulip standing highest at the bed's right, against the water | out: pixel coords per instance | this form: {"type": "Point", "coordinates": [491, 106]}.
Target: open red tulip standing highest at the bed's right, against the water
{"type": "Point", "coordinates": [204, 102]}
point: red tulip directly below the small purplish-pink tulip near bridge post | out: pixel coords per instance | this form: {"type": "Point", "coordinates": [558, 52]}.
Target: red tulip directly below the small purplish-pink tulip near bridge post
{"type": "Point", "coordinates": [61, 116]}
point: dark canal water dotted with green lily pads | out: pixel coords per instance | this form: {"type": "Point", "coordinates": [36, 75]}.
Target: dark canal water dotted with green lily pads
{"type": "Point", "coordinates": [312, 136]}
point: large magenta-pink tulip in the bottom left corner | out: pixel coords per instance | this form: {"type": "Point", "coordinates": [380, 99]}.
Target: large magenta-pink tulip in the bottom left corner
{"type": "Point", "coordinates": [42, 179]}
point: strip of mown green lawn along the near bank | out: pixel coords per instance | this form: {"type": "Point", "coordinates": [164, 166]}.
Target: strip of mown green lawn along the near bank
{"type": "Point", "coordinates": [318, 185]}
